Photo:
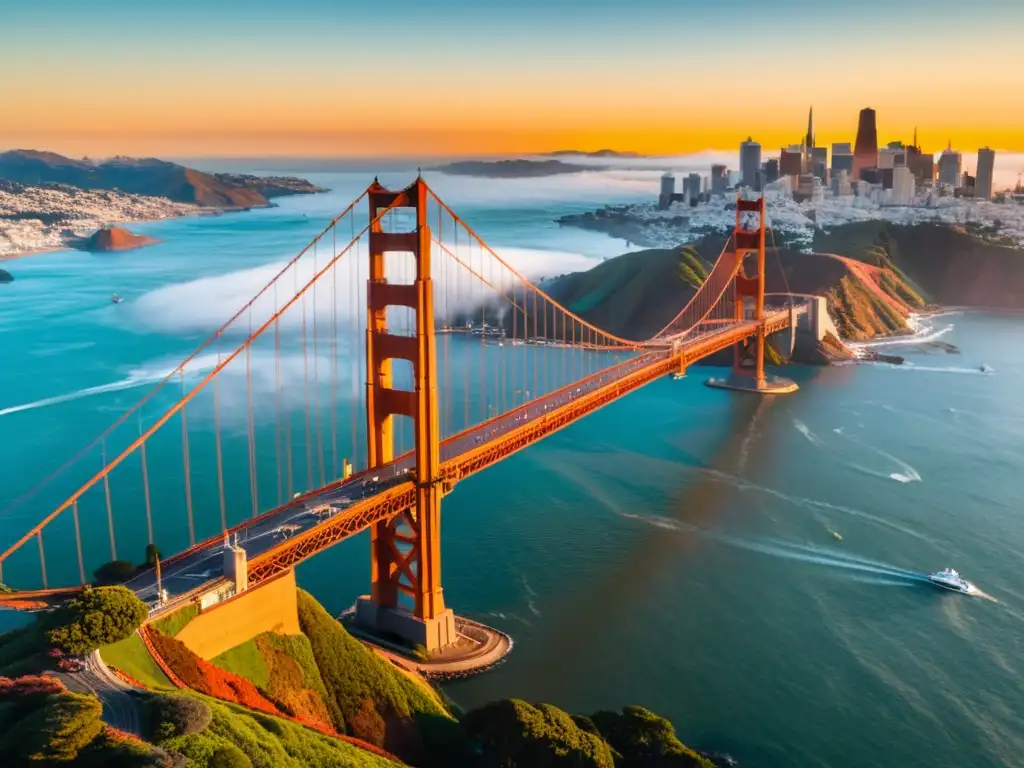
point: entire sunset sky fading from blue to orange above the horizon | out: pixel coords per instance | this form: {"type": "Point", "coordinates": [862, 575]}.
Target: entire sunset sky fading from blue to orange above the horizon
{"type": "Point", "coordinates": [471, 77]}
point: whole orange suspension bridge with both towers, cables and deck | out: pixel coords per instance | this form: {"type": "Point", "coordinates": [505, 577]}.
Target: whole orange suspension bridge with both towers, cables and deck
{"type": "Point", "coordinates": [396, 356]}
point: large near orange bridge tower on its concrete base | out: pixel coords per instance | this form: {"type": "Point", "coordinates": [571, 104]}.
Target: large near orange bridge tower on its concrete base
{"type": "Point", "coordinates": [407, 599]}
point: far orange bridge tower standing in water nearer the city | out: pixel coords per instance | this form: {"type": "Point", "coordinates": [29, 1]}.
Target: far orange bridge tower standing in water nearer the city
{"type": "Point", "coordinates": [749, 357]}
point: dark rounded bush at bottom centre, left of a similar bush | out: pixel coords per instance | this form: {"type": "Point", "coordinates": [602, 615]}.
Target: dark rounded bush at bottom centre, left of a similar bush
{"type": "Point", "coordinates": [511, 733]}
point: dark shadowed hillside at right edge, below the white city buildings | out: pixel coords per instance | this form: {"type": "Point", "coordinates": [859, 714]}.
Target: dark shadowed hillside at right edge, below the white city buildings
{"type": "Point", "coordinates": [950, 266]}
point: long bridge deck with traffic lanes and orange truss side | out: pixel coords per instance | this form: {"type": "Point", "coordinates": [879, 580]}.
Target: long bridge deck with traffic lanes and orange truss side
{"type": "Point", "coordinates": [263, 537]}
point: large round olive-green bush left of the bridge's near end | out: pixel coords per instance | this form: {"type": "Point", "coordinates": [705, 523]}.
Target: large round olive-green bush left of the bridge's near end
{"type": "Point", "coordinates": [98, 617]}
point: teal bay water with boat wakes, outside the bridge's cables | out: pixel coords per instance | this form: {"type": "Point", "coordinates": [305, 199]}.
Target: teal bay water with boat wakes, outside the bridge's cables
{"type": "Point", "coordinates": [675, 550]}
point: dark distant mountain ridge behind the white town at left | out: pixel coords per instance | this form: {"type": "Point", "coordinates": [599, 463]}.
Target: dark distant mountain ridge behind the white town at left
{"type": "Point", "coordinates": [147, 177]}
